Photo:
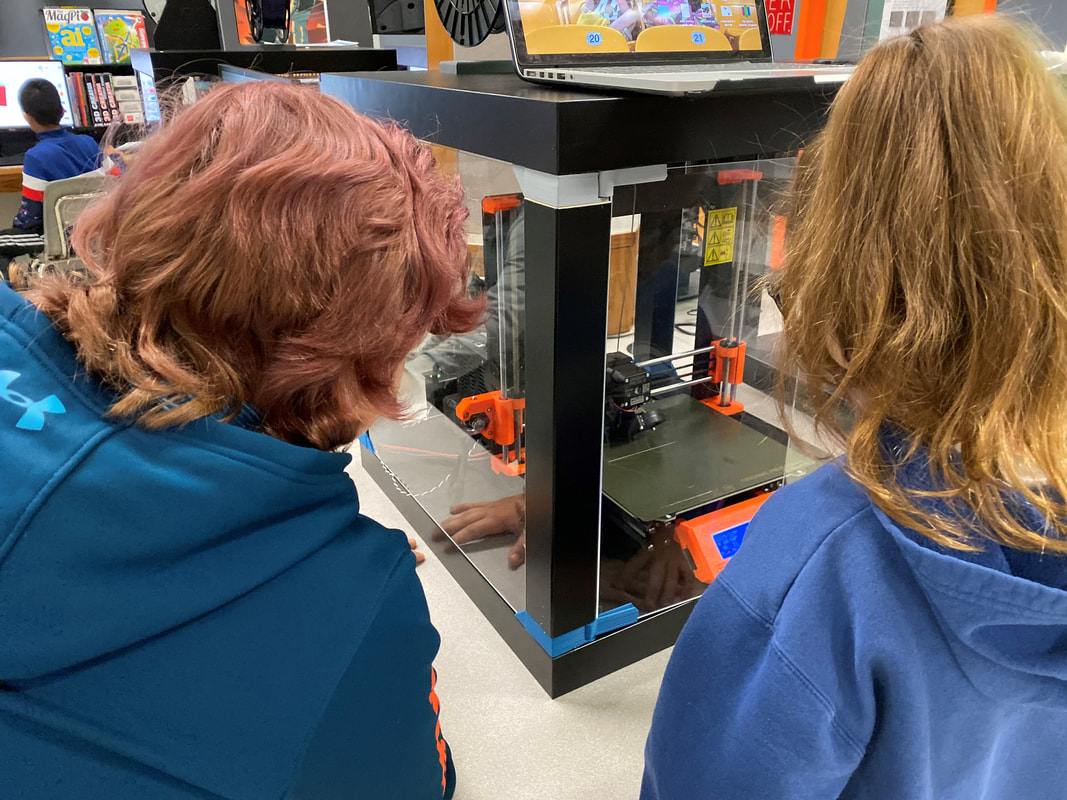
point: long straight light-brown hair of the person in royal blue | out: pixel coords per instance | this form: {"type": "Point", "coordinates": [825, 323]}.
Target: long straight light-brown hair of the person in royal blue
{"type": "Point", "coordinates": [926, 280]}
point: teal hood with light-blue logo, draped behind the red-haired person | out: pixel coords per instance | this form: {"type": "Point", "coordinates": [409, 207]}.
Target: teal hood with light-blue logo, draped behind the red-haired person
{"type": "Point", "coordinates": [110, 535]}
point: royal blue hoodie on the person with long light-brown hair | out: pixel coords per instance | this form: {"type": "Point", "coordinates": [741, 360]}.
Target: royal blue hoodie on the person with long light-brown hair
{"type": "Point", "coordinates": [841, 657]}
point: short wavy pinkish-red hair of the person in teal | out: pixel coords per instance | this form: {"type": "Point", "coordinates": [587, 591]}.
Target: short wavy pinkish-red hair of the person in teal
{"type": "Point", "coordinates": [270, 246]}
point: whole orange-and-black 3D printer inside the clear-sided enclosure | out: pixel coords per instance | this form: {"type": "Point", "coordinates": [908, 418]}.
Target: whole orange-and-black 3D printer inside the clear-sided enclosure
{"type": "Point", "coordinates": [687, 465]}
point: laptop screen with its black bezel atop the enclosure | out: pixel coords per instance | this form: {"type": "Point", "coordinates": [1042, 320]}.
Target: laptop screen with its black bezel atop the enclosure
{"type": "Point", "coordinates": [636, 31]}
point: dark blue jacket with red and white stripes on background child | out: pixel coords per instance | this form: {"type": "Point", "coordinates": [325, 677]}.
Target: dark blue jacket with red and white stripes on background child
{"type": "Point", "coordinates": [57, 156]}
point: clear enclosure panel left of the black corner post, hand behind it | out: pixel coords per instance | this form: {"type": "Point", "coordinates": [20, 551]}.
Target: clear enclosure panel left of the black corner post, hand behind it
{"type": "Point", "coordinates": [461, 453]}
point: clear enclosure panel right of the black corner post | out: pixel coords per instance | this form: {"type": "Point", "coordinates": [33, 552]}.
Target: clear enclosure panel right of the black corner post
{"type": "Point", "coordinates": [694, 437]}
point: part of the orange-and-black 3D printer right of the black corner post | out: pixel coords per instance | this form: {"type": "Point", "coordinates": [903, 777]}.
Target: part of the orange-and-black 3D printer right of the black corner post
{"type": "Point", "coordinates": [691, 457]}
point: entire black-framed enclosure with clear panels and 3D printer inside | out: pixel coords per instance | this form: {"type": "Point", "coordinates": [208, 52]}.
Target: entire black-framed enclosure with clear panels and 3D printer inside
{"type": "Point", "coordinates": [636, 250]}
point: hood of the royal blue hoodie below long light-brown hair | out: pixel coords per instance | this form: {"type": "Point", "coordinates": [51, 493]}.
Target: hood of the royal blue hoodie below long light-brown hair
{"type": "Point", "coordinates": [1004, 612]}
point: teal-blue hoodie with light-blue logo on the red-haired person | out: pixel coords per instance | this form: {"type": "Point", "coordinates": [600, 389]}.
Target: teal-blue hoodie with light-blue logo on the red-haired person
{"type": "Point", "coordinates": [196, 614]}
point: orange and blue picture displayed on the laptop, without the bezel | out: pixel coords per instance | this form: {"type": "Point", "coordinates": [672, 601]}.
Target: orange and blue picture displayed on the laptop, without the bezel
{"type": "Point", "coordinates": [603, 27]}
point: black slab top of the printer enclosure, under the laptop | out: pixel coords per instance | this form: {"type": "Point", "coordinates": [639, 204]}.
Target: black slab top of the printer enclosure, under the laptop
{"type": "Point", "coordinates": [565, 132]}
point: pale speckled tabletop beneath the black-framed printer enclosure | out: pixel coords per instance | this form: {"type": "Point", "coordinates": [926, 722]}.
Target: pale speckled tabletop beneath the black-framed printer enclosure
{"type": "Point", "coordinates": [508, 739]}
